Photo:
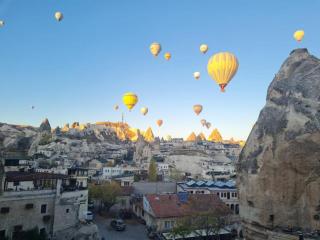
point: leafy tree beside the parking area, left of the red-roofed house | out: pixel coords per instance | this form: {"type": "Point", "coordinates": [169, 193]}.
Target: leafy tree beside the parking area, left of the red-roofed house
{"type": "Point", "coordinates": [106, 193]}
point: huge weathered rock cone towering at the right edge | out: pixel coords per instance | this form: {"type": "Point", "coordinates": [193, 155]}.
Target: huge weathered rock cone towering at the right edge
{"type": "Point", "coordinates": [279, 167]}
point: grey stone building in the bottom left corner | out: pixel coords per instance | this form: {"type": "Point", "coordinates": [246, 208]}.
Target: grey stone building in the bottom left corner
{"type": "Point", "coordinates": [54, 203]}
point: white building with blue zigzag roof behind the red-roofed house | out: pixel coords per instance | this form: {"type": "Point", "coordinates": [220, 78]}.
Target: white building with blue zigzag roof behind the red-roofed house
{"type": "Point", "coordinates": [226, 191]}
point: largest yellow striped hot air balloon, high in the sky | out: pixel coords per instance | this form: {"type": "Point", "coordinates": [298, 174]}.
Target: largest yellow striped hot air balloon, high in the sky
{"type": "Point", "coordinates": [222, 67]}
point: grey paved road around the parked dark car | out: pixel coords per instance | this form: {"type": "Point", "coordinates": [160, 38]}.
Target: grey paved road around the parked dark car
{"type": "Point", "coordinates": [134, 230]}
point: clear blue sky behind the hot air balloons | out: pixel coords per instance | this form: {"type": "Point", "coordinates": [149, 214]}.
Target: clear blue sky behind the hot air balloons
{"type": "Point", "coordinates": [79, 68]}
